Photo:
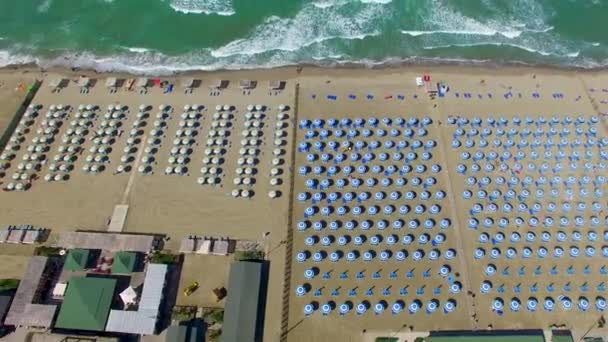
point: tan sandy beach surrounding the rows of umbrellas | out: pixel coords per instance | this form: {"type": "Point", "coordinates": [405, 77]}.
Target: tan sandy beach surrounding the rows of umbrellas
{"type": "Point", "coordinates": [176, 205]}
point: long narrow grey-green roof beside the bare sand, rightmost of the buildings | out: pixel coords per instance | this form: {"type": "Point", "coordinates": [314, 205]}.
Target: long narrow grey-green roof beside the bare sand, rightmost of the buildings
{"type": "Point", "coordinates": [241, 321]}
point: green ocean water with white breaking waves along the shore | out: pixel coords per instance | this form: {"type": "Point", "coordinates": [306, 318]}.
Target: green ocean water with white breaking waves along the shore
{"type": "Point", "coordinates": [164, 36]}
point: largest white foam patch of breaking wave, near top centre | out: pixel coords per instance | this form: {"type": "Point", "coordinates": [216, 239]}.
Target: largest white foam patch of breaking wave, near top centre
{"type": "Point", "coordinates": [308, 27]}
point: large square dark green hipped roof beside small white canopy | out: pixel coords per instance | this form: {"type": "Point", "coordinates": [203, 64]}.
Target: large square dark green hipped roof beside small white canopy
{"type": "Point", "coordinates": [87, 303]}
